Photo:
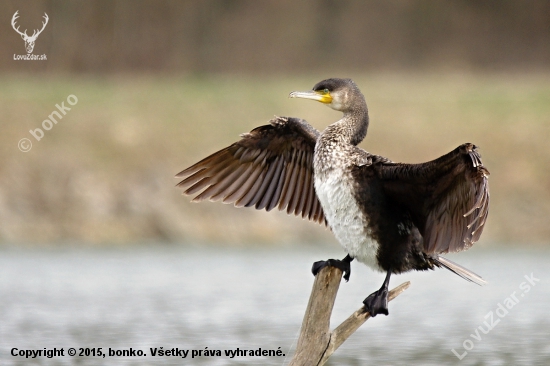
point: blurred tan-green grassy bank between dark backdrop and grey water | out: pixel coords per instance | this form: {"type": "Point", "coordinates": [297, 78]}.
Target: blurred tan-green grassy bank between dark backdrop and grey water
{"type": "Point", "coordinates": [104, 173]}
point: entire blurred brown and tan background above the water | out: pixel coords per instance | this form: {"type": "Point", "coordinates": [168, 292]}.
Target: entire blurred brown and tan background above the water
{"type": "Point", "coordinates": [160, 84]}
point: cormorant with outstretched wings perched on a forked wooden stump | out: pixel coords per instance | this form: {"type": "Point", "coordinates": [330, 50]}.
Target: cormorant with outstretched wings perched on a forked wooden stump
{"type": "Point", "coordinates": [393, 217]}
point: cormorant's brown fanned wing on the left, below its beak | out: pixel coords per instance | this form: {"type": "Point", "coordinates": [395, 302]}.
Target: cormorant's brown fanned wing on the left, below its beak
{"type": "Point", "coordinates": [271, 166]}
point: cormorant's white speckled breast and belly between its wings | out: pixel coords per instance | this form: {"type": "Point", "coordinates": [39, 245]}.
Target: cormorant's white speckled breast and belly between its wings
{"type": "Point", "coordinates": [347, 221]}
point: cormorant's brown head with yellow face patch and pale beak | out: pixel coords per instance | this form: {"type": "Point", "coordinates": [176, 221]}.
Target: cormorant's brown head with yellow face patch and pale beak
{"type": "Point", "coordinates": [339, 94]}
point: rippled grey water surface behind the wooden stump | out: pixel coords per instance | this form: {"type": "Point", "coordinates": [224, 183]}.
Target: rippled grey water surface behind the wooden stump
{"type": "Point", "coordinates": [192, 298]}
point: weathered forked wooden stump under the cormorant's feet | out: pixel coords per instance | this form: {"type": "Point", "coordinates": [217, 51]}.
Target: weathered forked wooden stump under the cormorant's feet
{"type": "Point", "coordinates": [317, 343]}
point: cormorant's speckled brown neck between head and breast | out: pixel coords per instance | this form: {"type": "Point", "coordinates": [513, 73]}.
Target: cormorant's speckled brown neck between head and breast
{"type": "Point", "coordinates": [352, 128]}
